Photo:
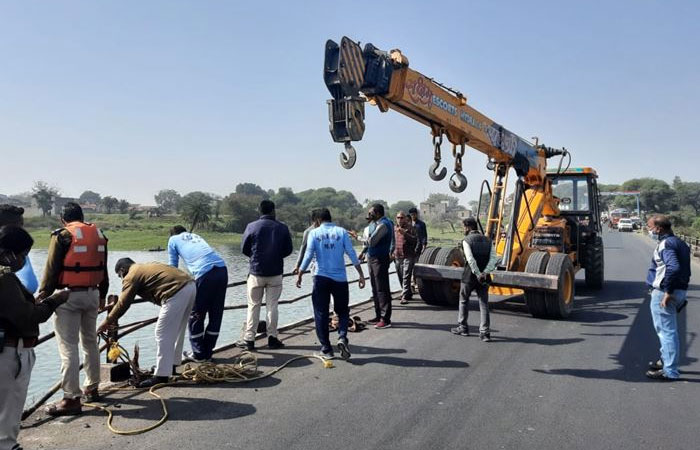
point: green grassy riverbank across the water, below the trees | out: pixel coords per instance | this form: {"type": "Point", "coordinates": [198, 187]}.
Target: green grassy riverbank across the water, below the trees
{"type": "Point", "coordinates": [152, 233]}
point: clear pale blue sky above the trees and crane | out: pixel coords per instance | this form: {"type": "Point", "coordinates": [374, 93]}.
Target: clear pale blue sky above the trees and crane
{"type": "Point", "coordinates": [126, 98]}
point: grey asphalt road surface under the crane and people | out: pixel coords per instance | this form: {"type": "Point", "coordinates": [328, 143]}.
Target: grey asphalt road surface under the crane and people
{"type": "Point", "coordinates": [541, 384]}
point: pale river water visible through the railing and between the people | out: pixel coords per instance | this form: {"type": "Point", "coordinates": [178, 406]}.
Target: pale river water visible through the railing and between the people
{"type": "Point", "coordinates": [48, 366]}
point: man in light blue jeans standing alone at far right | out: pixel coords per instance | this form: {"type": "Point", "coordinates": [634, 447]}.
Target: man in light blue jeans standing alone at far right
{"type": "Point", "coordinates": [668, 278]}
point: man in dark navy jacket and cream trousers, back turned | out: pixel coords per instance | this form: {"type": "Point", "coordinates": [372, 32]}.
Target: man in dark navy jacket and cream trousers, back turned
{"type": "Point", "coordinates": [266, 242]}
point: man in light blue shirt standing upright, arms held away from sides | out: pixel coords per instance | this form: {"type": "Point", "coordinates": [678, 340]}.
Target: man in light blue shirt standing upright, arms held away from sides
{"type": "Point", "coordinates": [329, 244]}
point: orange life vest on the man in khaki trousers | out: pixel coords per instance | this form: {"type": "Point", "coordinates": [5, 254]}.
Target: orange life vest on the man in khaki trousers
{"type": "Point", "coordinates": [85, 261]}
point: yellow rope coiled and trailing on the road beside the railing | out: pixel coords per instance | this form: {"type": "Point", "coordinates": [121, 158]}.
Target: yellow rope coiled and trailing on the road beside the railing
{"type": "Point", "coordinates": [243, 370]}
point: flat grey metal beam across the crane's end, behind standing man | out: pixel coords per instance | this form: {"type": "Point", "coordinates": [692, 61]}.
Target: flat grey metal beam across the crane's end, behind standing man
{"type": "Point", "coordinates": [519, 280]}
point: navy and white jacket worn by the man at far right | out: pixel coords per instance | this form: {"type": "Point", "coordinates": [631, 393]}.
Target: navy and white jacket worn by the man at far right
{"type": "Point", "coordinates": [670, 265]}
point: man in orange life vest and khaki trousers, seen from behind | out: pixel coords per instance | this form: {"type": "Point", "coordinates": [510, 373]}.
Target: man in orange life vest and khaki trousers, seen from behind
{"type": "Point", "coordinates": [77, 260]}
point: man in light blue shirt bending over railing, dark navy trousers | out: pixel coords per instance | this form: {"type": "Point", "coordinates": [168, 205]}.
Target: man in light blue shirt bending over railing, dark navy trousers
{"type": "Point", "coordinates": [211, 277]}
